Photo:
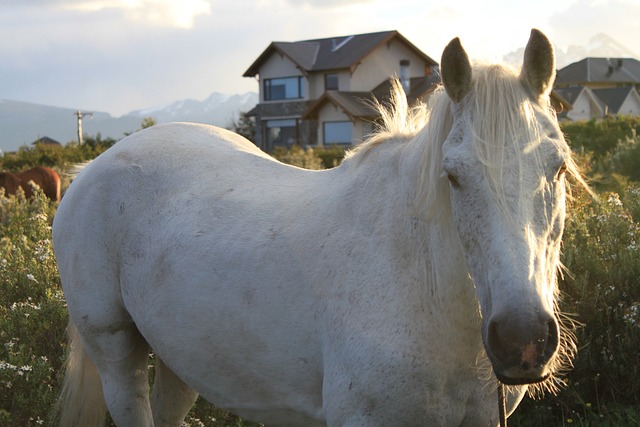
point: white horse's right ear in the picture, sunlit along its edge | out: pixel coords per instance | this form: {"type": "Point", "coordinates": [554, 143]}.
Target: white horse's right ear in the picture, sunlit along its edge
{"type": "Point", "coordinates": [539, 66]}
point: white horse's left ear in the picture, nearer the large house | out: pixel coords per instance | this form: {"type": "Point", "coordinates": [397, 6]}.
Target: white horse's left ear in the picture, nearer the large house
{"type": "Point", "coordinates": [456, 70]}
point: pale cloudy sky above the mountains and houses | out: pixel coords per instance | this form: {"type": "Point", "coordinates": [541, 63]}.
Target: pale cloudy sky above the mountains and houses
{"type": "Point", "coordinates": [117, 56]}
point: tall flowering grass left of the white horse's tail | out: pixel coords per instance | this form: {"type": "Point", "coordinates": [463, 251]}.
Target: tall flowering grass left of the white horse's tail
{"type": "Point", "coordinates": [32, 312]}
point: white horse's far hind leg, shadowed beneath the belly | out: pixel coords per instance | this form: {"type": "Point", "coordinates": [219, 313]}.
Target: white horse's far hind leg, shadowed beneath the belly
{"type": "Point", "coordinates": [171, 397]}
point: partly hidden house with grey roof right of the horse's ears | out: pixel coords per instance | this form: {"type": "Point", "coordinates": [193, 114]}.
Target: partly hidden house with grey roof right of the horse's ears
{"type": "Point", "coordinates": [599, 87]}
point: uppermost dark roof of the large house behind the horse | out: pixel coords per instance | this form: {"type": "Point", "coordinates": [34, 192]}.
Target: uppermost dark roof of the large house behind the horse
{"type": "Point", "coordinates": [332, 53]}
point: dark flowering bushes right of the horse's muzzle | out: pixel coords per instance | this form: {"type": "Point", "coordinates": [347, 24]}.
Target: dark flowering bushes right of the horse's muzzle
{"type": "Point", "coordinates": [601, 251]}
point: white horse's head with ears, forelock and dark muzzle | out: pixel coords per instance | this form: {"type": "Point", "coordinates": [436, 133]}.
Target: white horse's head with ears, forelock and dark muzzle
{"type": "Point", "coordinates": [505, 159]}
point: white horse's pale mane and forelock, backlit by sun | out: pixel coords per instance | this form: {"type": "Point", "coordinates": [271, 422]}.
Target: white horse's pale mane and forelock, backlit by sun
{"type": "Point", "coordinates": [503, 116]}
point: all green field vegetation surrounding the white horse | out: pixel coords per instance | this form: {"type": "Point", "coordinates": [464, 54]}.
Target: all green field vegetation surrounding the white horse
{"type": "Point", "coordinates": [600, 287]}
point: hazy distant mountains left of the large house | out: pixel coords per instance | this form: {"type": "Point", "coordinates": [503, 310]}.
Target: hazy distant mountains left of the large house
{"type": "Point", "coordinates": [21, 123]}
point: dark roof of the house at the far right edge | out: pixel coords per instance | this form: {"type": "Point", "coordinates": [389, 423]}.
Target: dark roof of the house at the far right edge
{"type": "Point", "coordinates": [600, 70]}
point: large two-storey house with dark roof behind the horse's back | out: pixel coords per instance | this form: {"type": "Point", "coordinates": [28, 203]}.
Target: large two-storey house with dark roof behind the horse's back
{"type": "Point", "coordinates": [315, 92]}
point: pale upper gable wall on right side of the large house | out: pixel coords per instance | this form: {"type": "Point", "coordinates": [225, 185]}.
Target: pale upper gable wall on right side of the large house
{"type": "Point", "coordinates": [383, 63]}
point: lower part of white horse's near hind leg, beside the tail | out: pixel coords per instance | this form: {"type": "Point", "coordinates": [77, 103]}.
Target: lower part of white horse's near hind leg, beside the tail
{"type": "Point", "coordinates": [122, 355]}
